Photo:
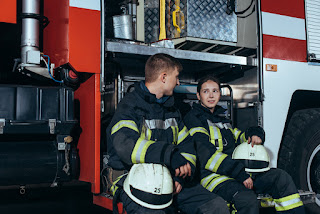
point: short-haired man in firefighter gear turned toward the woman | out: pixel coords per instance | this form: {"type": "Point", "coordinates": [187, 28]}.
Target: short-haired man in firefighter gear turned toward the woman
{"type": "Point", "coordinates": [147, 128]}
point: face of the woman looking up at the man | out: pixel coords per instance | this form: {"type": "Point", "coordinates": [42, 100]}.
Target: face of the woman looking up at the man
{"type": "Point", "coordinates": [209, 95]}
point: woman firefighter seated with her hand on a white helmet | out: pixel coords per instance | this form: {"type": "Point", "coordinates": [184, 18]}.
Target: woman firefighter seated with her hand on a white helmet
{"type": "Point", "coordinates": [215, 141]}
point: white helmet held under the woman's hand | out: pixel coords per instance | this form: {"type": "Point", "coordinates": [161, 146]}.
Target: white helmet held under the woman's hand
{"type": "Point", "coordinates": [255, 159]}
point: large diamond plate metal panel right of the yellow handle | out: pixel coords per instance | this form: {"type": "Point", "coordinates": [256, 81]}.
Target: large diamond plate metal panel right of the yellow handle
{"type": "Point", "coordinates": [208, 19]}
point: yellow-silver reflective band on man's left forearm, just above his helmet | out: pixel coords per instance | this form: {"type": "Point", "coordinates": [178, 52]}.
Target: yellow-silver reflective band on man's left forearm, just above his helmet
{"type": "Point", "coordinates": [140, 149]}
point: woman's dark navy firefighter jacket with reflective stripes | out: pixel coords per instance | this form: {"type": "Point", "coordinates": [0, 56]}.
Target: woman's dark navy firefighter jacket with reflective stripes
{"type": "Point", "coordinates": [215, 141]}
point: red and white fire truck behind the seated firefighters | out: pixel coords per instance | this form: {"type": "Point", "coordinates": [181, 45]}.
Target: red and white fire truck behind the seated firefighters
{"type": "Point", "coordinates": [65, 65]}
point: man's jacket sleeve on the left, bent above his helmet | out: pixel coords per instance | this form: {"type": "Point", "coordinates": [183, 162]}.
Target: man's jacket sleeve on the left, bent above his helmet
{"type": "Point", "coordinates": [132, 144]}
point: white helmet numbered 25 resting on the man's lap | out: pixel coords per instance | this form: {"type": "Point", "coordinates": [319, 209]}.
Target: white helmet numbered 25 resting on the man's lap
{"type": "Point", "coordinates": [149, 185]}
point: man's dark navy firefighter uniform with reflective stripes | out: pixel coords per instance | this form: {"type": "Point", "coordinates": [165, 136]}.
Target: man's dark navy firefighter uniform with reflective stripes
{"type": "Point", "coordinates": [145, 129]}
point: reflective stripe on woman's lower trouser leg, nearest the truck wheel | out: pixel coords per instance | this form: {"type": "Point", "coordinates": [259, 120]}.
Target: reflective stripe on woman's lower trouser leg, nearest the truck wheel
{"type": "Point", "coordinates": [288, 203]}
